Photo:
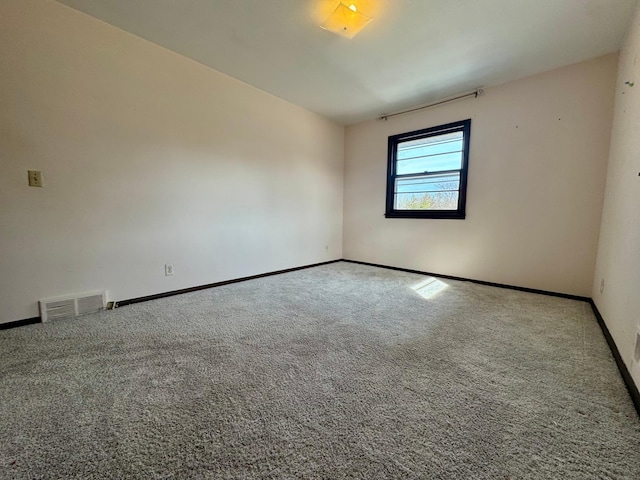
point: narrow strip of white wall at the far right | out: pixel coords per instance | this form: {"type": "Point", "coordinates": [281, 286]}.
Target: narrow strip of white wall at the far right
{"type": "Point", "coordinates": [618, 261]}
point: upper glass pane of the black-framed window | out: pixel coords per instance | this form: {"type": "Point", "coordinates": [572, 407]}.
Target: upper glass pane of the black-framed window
{"type": "Point", "coordinates": [431, 154]}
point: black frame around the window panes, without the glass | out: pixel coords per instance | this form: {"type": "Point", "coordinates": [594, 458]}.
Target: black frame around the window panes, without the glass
{"type": "Point", "coordinates": [463, 126]}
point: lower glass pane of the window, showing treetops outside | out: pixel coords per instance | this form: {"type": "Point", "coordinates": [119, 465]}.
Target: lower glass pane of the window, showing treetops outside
{"type": "Point", "coordinates": [427, 192]}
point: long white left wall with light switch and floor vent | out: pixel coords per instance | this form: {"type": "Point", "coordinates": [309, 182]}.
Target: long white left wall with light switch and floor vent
{"type": "Point", "coordinates": [148, 158]}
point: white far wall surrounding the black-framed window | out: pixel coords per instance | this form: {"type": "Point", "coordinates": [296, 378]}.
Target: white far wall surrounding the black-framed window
{"type": "Point", "coordinates": [537, 169]}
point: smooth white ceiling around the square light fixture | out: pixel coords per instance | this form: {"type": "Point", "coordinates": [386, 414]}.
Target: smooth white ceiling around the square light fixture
{"type": "Point", "coordinates": [414, 52]}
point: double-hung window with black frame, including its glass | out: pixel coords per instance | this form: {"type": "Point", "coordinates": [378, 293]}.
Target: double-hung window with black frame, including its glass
{"type": "Point", "coordinates": [427, 173]}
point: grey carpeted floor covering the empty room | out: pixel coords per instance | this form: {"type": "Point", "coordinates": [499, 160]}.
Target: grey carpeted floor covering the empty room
{"type": "Point", "coordinates": [339, 371]}
